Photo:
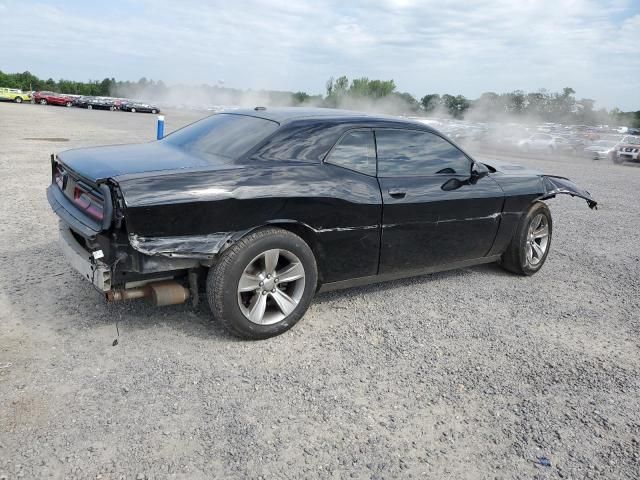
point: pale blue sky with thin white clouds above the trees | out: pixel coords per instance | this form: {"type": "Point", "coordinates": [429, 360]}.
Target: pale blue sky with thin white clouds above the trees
{"type": "Point", "coordinates": [432, 46]}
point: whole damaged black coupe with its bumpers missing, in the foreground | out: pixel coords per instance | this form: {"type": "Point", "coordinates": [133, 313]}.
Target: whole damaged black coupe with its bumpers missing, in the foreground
{"type": "Point", "coordinates": [263, 208]}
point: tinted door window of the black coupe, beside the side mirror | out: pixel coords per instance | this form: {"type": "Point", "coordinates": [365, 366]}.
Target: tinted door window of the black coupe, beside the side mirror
{"type": "Point", "coordinates": [403, 153]}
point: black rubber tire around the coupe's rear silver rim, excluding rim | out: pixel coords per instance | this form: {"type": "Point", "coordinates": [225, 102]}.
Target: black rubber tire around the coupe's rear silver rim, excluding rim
{"type": "Point", "coordinates": [223, 280]}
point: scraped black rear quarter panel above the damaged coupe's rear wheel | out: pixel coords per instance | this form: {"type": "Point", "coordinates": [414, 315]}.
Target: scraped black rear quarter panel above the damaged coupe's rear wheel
{"type": "Point", "coordinates": [195, 213]}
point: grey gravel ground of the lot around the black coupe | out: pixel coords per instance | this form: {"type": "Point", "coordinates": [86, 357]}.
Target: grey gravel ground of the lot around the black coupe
{"type": "Point", "coordinates": [466, 374]}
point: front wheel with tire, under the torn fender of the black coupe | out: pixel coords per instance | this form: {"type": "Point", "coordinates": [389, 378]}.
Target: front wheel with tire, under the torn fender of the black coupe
{"type": "Point", "coordinates": [530, 244]}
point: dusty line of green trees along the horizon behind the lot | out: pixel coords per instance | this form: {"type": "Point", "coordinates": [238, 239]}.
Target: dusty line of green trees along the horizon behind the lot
{"type": "Point", "coordinates": [364, 93]}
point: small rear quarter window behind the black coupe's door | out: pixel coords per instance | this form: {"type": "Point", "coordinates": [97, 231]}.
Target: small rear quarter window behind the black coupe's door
{"type": "Point", "coordinates": [355, 151]}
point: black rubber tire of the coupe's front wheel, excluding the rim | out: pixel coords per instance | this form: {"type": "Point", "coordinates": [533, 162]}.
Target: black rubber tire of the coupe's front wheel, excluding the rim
{"type": "Point", "coordinates": [515, 258]}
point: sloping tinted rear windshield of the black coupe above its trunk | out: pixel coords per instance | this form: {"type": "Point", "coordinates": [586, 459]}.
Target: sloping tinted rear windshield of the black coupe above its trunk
{"type": "Point", "coordinates": [228, 135]}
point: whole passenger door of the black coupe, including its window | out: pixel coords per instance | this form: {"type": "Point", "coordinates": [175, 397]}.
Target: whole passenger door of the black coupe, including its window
{"type": "Point", "coordinates": [424, 222]}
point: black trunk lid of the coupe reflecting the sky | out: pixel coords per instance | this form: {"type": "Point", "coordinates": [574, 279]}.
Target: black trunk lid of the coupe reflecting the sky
{"type": "Point", "coordinates": [98, 164]}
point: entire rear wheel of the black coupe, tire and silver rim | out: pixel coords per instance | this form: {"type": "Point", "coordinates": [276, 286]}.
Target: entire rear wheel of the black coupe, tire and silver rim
{"type": "Point", "coordinates": [263, 284]}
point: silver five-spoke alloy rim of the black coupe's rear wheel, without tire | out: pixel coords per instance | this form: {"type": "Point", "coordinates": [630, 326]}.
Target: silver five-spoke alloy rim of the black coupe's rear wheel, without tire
{"type": "Point", "coordinates": [271, 287]}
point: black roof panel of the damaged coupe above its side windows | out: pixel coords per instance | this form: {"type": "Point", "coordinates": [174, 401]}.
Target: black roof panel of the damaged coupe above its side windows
{"type": "Point", "coordinates": [287, 114]}
